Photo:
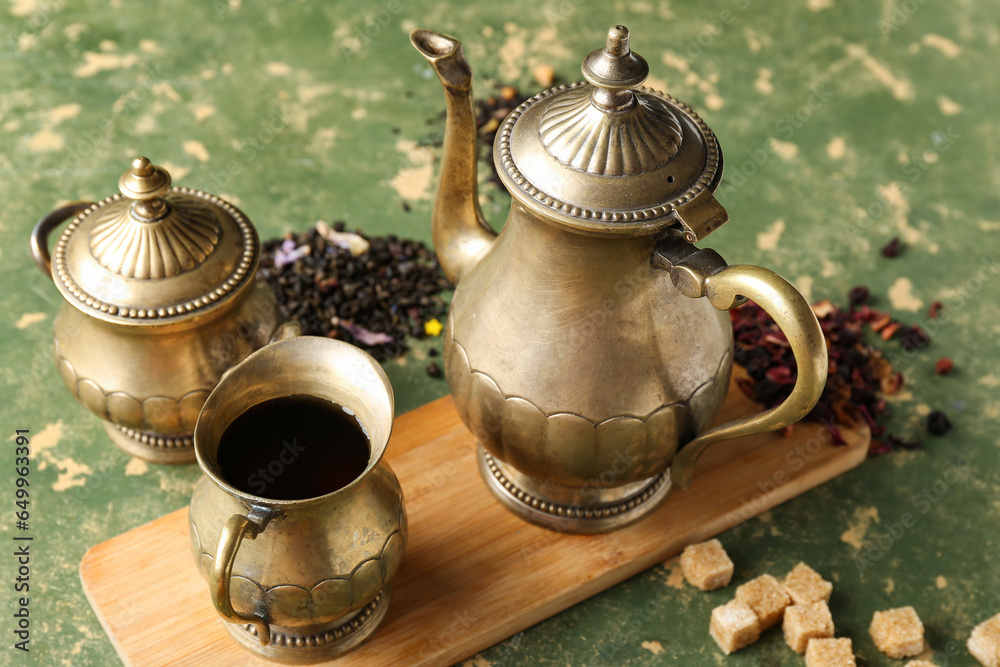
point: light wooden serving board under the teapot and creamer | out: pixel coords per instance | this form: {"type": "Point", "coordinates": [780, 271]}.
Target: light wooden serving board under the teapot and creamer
{"type": "Point", "coordinates": [473, 574]}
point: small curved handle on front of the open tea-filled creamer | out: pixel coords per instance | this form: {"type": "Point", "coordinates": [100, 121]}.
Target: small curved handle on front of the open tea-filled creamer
{"type": "Point", "coordinates": [237, 527]}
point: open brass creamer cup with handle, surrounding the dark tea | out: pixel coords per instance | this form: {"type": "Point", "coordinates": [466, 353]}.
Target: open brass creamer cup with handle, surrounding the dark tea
{"type": "Point", "coordinates": [300, 580]}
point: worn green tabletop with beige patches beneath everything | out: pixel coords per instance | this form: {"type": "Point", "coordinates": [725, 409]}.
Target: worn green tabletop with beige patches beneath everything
{"type": "Point", "coordinates": [844, 124]}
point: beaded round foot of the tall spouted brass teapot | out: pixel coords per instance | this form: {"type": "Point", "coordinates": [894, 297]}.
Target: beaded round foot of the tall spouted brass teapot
{"type": "Point", "coordinates": [585, 510]}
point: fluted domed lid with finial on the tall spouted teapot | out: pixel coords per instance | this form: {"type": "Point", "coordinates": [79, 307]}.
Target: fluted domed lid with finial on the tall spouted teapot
{"type": "Point", "coordinates": [612, 155]}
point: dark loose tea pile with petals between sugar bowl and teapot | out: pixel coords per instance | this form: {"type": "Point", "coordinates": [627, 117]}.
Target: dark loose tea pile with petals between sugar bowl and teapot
{"type": "Point", "coordinates": [369, 291]}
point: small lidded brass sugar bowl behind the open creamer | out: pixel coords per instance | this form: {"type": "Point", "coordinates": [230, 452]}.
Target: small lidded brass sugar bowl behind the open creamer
{"type": "Point", "coordinates": [159, 301]}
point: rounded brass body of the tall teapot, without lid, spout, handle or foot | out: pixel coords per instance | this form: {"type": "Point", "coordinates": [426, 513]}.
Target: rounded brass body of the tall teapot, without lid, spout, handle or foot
{"type": "Point", "coordinates": [575, 361]}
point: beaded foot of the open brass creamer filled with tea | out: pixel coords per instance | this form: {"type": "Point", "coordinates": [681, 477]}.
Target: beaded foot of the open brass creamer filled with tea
{"type": "Point", "coordinates": [290, 646]}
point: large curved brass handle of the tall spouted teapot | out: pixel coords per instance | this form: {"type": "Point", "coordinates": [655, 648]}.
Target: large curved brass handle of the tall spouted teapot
{"type": "Point", "coordinates": [702, 272]}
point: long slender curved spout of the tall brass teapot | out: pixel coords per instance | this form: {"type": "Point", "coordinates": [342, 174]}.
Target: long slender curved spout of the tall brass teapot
{"type": "Point", "coordinates": [461, 234]}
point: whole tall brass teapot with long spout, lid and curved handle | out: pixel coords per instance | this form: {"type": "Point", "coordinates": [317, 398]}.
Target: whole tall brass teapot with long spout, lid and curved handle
{"type": "Point", "coordinates": [587, 347]}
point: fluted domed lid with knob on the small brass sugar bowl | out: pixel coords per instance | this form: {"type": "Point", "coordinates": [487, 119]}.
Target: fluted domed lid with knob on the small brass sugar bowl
{"type": "Point", "coordinates": [155, 254]}
